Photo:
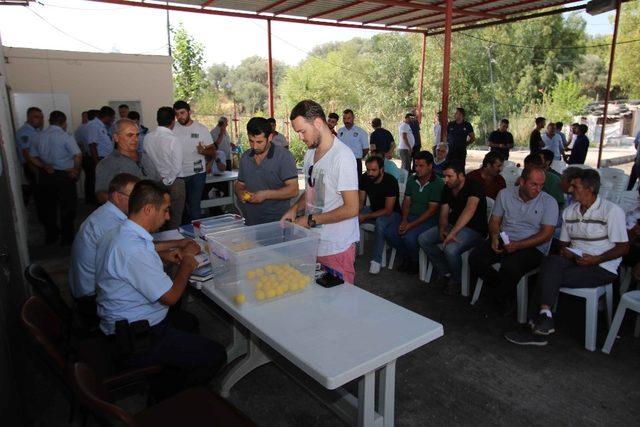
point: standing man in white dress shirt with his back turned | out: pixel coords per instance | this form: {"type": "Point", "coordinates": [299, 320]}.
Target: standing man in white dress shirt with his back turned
{"type": "Point", "coordinates": [165, 152]}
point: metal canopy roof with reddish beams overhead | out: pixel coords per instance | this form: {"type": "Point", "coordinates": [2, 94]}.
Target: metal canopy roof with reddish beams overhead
{"type": "Point", "coordinates": [394, 15]}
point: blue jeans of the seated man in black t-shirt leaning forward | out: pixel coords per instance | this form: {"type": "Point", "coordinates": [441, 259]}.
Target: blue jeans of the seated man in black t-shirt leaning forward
{"type": "Point", "coordinates": [449, 259]}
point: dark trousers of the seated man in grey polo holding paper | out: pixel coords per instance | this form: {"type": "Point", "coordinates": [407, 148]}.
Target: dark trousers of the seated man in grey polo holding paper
{"type": "Point", "coordinates": [512, 267]}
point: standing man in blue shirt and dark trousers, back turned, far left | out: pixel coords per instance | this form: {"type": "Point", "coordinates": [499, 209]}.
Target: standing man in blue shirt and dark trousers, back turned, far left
{"type": "Point", "coordinates": [58, 158]}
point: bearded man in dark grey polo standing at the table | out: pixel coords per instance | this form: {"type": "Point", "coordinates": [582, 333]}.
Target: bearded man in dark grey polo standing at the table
{"type": "Point", "coordinates": [267, 177]}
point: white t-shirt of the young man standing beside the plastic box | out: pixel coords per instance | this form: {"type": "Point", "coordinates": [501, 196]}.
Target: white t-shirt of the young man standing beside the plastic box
{"type": "Point", "coordinates": [333, 173]}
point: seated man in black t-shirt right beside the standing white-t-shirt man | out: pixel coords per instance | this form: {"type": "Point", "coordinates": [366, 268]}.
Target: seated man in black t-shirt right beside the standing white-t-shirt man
{"type": "Point", "coordinates": [382, 191]}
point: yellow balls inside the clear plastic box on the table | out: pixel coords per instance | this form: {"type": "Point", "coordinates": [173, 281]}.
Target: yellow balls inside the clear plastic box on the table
{"type": "Point", "coordinates": [274, 280]}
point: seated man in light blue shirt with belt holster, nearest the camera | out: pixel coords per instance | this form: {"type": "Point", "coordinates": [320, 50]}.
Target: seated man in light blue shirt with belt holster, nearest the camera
{"type": "Point", "coordinates": [132, 286]}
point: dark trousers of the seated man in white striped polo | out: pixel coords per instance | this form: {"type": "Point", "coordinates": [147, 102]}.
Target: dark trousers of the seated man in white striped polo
{"type": "Point", "coordinates": [558, 272]}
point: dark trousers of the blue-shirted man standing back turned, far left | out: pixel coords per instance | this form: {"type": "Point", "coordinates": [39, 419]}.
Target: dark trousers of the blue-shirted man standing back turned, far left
{"type": "Point", "coordinates": [59, 200]}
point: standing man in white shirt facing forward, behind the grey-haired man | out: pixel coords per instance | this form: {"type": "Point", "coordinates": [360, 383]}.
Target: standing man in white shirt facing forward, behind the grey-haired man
{"type": "Point", "coordinates": [193, 137]}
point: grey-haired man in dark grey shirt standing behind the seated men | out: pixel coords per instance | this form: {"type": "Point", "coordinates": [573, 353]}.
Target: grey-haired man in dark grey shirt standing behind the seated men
{"type": "Point", "coordinates": [124, 159]}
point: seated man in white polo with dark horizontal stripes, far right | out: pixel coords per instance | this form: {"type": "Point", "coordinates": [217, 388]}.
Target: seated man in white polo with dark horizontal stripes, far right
{"type": "Point", "coordinates": [593, 241]}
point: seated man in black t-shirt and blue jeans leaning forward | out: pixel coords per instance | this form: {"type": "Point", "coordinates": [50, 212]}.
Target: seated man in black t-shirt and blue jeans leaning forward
{"type": "Point", "coordinates": [462, 226]}
